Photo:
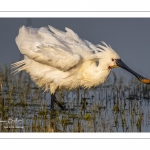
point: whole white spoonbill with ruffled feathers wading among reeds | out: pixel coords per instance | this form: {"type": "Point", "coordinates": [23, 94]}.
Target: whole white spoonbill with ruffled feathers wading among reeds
{"type": "Point", "coordinates": [62, 60]}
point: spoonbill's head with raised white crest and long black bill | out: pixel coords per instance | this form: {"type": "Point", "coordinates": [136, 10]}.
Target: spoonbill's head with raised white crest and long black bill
{"type": "Point", "coordinates": [110, 59]}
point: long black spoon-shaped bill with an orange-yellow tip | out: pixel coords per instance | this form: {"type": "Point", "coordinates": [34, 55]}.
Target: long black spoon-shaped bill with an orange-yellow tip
{"type": "Point", "coordinates": [121, 64]}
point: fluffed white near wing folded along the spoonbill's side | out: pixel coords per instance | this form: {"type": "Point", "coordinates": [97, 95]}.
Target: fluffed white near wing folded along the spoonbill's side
{"type": "Point", "coordinates": [45, 47]}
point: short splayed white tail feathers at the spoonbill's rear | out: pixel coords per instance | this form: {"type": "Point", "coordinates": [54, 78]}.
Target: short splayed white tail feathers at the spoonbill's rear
{"type": "Point", "coordinates": [19, 66]}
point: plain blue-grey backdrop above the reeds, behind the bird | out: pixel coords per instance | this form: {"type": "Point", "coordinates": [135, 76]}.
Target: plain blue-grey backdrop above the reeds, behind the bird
{"type": "Point", "coordinates": [129, 37]}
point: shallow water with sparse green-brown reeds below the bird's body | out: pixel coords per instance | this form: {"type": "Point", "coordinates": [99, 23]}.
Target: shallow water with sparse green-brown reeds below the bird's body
{"type": "Point", "coordinates": [113, 107]}
